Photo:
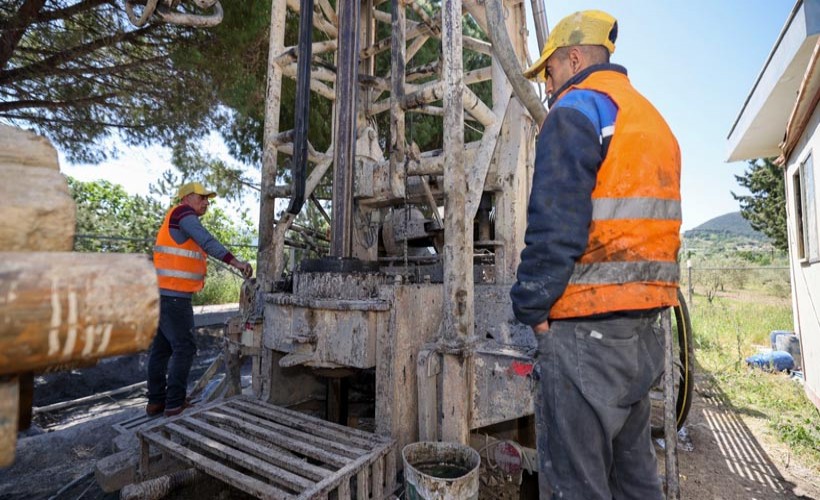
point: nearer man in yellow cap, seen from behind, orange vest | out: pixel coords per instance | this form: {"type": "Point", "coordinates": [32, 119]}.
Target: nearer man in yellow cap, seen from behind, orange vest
{"type": "Point", "coordinates": [599, 266]}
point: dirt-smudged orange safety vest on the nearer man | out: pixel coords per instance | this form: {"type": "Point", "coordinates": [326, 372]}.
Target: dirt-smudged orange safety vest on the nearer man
{"type": "Point", "coordinates": [630, 262]}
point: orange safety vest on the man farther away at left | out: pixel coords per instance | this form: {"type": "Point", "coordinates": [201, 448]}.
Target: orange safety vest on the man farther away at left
{"type": "Point", "coordinates": [180, 267]}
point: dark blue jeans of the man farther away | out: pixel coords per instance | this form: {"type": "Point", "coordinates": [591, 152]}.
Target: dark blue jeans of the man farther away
{"type": "Point", "coordinates": [172, 352]}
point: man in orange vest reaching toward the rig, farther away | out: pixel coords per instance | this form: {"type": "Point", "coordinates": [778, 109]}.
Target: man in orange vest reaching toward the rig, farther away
{"type": "Point", "coordinates": [180, 258]}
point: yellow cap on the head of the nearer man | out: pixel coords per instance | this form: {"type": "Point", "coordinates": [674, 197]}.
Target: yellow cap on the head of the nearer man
{"type": "Point", "coordinates": [587, 27]}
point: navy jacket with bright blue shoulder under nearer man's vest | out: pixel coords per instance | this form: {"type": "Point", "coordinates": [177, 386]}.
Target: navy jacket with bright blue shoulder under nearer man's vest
{"type": "Point", "coordinates": [571, 147]}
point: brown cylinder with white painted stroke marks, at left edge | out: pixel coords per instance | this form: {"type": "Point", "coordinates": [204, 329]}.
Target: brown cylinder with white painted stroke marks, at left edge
{"type": "Point", "coordinates": [58, 307]}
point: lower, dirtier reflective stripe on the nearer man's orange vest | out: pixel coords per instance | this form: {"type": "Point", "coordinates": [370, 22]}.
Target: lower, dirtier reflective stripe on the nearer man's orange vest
{"type": "Point", "coordinates": [604, 273]}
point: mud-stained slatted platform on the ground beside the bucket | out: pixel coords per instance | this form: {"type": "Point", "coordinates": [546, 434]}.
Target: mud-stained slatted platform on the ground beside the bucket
{"type": "Point", "coordinates": [272, 452]}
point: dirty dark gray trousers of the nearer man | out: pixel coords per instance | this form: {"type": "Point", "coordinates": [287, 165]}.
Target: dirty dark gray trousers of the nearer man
{"type": "Point", "coordinates": [592, 408]}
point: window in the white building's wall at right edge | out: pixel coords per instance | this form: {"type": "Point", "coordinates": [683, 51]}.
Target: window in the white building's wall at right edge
{"type": "Point", "coordinates": [806, 232]}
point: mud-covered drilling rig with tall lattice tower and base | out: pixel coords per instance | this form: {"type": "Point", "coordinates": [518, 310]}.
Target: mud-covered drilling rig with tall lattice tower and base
{"type": "Point", "coordinates": [424, 243]}
